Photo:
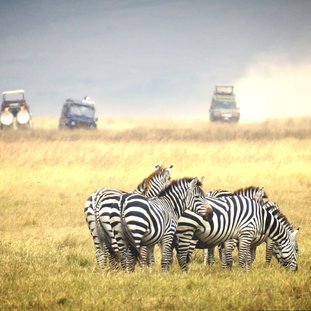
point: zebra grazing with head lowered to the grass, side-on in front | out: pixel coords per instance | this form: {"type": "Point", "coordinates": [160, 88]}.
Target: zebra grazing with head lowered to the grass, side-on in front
{"type": "Point", "coordinates": [236, 217]}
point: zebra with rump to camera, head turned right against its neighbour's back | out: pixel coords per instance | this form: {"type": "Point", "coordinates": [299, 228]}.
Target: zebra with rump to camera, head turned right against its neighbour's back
{"type": "Point", "coordinates": [146, 222]}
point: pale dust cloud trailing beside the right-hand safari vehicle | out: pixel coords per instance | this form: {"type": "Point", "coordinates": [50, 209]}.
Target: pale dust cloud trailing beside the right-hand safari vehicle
{"type": "Point", "coordinates": [274, 88]}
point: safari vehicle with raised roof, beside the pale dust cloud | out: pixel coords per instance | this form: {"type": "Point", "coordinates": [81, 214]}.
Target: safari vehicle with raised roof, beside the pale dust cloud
{"type": "Point", "coordinates": [224, 107]}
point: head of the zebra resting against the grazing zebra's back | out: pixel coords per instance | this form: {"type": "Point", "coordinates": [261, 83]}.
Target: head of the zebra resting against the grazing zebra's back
{"type": "Point", "coordinates": [195, 198]}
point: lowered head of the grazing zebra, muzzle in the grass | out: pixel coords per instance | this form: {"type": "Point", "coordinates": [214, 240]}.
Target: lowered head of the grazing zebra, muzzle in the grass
{"type": "Point", "coordinates": [286, 252]}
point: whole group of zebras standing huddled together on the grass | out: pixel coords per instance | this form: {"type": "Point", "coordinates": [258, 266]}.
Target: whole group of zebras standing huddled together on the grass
{"type": "Point", "coordinates": [179, 215]}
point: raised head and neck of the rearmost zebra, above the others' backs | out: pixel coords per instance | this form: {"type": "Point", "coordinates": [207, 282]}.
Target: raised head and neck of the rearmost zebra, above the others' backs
{"type": "Point", "coordinates": [155, 182]}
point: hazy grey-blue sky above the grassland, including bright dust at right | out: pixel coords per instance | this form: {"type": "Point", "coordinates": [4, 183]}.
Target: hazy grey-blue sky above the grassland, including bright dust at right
{"type": "Point", "coordinates": [157, 59]}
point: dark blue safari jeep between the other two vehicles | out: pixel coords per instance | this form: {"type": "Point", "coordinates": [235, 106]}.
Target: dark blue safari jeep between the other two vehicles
{"type": "Point", "coordinates": [78, 114]}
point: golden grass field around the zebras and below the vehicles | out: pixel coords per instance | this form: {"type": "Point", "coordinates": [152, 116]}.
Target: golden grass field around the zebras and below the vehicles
{"type": "Point", "coordinates": [46, 252]}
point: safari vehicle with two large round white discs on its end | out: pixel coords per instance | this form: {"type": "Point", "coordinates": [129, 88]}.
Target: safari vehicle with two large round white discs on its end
{"type": "Point", "coordinates": [15, 112]}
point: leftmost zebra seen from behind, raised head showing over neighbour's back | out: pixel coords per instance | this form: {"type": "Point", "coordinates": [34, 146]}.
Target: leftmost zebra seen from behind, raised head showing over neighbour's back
{"type": "Point", "coordinates": [99, 206]}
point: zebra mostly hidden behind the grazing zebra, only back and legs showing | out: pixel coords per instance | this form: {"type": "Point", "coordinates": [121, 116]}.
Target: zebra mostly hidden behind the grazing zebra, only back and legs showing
{"type": "Point", "coordinates": [226, 248]}
